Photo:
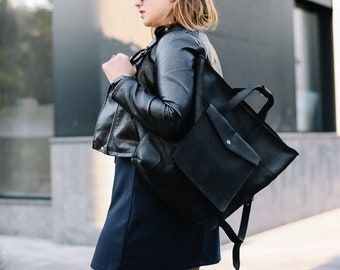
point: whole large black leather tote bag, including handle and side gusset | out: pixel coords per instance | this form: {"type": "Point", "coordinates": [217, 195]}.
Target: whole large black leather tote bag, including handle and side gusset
{"type": "Point", "coordinates": [229, 155]}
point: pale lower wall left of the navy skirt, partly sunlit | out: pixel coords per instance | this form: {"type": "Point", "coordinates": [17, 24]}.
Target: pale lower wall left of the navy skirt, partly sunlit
{"type": "Point", "coordinates": [81, 188]}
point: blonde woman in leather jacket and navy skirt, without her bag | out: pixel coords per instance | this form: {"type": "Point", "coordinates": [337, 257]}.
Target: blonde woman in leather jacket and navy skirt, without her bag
{"type": "Point", "coordinates": [140, 231]}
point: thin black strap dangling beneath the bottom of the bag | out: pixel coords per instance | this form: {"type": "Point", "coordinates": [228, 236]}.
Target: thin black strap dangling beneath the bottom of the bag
{"type": "Point", "coordinates": [238, 239]}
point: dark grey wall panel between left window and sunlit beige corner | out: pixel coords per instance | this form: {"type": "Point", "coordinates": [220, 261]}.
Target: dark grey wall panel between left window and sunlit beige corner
{"type": "Point", "coordinates": [75, 67]}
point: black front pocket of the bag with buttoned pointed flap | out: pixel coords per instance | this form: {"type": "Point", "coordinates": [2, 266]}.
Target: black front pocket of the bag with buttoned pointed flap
{"type": "Point", "coordinates": [216, 158]}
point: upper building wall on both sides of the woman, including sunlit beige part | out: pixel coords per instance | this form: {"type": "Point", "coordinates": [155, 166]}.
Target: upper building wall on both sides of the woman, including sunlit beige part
{"type": "Point", "coordinates": [254, 41]}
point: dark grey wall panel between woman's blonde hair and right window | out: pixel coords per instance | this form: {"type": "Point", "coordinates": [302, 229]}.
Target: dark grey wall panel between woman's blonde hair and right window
{"type": "Point", "coordinates": [255, 43]}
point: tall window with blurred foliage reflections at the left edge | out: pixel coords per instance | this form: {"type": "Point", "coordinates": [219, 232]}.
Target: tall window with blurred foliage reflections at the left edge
{"type": "Point", "coordinates": [26, 105]}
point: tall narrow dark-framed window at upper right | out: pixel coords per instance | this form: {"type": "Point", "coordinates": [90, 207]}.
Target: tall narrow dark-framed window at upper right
{"type": "Point", "coordinates": [314, 68]}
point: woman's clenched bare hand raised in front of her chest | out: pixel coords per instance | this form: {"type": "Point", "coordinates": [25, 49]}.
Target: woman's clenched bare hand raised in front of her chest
{"type": "Point", "coordinates": [117, 66]}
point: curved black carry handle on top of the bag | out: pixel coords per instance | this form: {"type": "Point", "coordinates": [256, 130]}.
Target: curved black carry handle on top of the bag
{"type": "Point", "coordinates": [243, 93]}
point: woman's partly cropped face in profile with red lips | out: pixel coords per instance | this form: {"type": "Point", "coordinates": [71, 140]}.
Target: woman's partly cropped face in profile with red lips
{"type": "Point", "coordinates": [154, 12]}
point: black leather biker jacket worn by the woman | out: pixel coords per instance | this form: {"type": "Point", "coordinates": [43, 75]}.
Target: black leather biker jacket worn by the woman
{"type": "Point", "coordinates": [159, 98]}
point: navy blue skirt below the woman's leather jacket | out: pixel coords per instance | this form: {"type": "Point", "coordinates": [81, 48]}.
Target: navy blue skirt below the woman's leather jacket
{"type": "Point", "coordinates": [141, 233]}
